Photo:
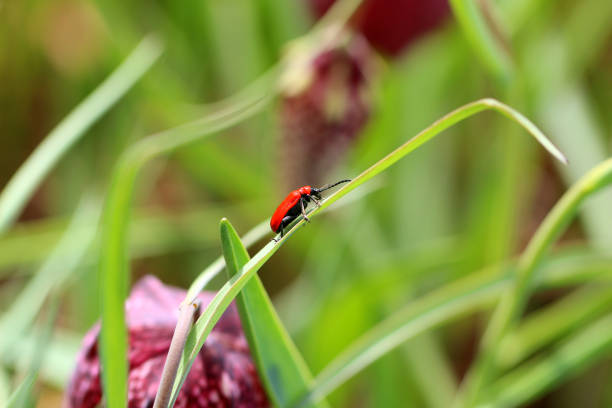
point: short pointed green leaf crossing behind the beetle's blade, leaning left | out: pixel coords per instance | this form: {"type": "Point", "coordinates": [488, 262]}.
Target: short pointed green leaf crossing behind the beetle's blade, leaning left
{"type": "Point", "coordinates": [279, 363]}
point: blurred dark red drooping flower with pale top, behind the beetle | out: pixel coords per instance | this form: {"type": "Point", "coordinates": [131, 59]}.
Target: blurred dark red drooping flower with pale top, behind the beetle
{"type": "Point", "coordinates": [325, 103]}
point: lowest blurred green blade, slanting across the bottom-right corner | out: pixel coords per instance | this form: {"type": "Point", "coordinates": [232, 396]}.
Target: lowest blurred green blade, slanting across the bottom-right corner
{"type": "Point", "coordinates": [570, 358]}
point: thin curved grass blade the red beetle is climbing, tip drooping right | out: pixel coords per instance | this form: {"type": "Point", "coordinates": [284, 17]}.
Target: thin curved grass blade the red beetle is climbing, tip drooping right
{"type": "Point", "coordinates": [227, 293]}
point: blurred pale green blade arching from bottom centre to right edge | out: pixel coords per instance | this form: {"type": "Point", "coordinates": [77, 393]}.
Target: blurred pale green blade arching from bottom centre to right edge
{"type": "Point", "coordinates": [450, 302]}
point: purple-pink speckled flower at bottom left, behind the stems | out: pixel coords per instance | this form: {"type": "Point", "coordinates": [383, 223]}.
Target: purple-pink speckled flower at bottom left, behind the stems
{"type": "Point", "coordinates": [223, 375]}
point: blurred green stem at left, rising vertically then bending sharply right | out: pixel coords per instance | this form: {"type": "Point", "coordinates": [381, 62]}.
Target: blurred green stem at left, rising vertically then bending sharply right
{"type": "Point", "coordinates": [114, 269]}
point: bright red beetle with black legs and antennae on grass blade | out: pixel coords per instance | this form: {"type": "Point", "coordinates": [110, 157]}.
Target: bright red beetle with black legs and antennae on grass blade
{"type": "Point", "coordinates": [295, 204]}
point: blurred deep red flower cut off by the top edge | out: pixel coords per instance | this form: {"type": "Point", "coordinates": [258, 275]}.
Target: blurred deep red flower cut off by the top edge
{"type": "Point", "coordinates": [391, 25]}
